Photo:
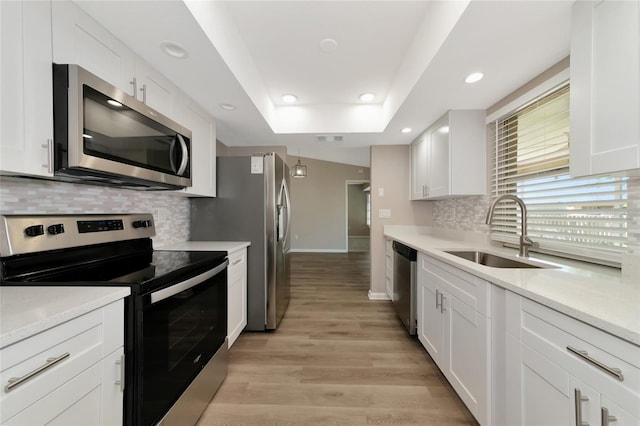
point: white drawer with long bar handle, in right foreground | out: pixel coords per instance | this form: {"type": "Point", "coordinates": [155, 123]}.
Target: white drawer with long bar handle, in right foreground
{"type": "Point", "coordinates": [552, 334]}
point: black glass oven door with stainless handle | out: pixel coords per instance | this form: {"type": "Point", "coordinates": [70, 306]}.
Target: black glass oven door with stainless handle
{"type": "Point", "coordinates": [180, 328]}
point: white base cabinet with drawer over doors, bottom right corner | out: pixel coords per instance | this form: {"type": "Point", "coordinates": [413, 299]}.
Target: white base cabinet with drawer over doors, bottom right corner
{"type": "Point", "coordinates": [561, 371]}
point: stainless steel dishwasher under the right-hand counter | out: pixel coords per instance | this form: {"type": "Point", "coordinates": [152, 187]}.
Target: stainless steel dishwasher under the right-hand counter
{"type": "Point", "coordinates": [404, 284]}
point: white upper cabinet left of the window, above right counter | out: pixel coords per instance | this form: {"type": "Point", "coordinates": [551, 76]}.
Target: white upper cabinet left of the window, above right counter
{"type": "Point", "coordinates": [449, 158]}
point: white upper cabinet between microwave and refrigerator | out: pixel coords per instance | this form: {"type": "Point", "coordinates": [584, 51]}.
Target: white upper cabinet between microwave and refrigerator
{"type": "Point", "coordinates": [203, 149]}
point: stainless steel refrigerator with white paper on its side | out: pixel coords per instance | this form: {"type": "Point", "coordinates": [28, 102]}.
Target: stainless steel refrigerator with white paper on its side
{"type": "Point", "coordinates": [252, 204]}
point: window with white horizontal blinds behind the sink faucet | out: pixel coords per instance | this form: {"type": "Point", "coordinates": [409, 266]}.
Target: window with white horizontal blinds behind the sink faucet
{"type": "Point", "coordinates": [581, 217]}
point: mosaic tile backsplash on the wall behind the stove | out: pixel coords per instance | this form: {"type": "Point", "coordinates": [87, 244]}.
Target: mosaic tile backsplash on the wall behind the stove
{"type": "Point", "coordinates": [29, 196]}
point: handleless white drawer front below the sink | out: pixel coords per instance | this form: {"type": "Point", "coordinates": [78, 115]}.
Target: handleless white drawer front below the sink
{"type": "Point", "coordinates": [465, 287]}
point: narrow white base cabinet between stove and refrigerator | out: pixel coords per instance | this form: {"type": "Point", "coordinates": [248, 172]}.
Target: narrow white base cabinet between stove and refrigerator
{"type": "Point", "coordinates": [236, 294]}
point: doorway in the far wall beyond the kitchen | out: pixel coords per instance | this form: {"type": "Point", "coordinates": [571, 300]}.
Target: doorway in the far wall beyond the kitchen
{"type": "Point", "coordinates": [358, 216]}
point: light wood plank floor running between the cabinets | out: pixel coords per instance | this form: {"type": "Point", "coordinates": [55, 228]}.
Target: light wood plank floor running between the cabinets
{"type": "Point", "coordinates": [337, 358]}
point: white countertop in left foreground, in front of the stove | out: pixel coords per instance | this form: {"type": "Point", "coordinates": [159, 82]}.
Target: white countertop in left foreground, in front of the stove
{"type": "Point", "coordinates": [25, 311]}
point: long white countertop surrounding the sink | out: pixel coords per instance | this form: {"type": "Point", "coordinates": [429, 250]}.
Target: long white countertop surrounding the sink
{"type": "Point", "coordinates": [596, 295]}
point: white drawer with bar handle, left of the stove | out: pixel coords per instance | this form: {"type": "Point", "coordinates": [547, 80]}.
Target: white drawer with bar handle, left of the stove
{"type": "Point", "coordinates": [82, 338]}
